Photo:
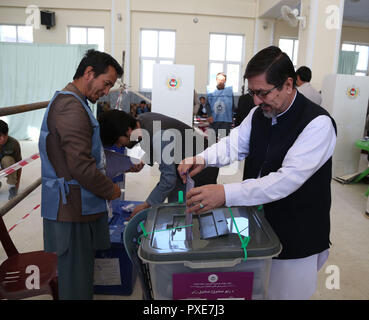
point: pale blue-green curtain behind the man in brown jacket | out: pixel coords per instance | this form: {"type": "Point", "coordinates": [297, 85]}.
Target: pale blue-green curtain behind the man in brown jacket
{"type": "Point", "coordinates": [32, 73]}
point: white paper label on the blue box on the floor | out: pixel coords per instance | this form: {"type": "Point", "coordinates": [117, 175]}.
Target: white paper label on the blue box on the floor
{"type": "Point", "coordinates": [107, 272]}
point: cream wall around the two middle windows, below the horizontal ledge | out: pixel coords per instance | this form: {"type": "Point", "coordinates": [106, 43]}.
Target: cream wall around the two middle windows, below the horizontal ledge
{"type": "Point", "coordinates": [192, 40]}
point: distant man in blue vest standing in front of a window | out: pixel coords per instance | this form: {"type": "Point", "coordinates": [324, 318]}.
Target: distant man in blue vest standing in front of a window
{"type": "Point", "coordinates": [220, 100]}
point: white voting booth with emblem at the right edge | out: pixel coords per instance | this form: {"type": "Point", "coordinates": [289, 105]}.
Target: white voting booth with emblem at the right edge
{"type": "Point", "coordinates": [345, 97]}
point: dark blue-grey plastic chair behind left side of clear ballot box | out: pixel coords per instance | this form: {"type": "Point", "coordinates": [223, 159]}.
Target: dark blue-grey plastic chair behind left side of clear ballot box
{"type": "Point", "coordinates": [130, 238]}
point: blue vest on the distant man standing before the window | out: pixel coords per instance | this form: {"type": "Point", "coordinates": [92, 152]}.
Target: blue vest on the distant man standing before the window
{"type": "Point", "coordinates": [221, 103]}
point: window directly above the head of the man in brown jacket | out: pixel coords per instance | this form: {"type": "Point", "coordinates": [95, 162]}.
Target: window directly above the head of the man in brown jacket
{"type": "Point", "coordinates": [84, 35]}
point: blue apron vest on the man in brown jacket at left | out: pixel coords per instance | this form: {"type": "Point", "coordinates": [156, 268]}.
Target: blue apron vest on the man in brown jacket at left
{"type": "Point", "coordinates": [53, 186]}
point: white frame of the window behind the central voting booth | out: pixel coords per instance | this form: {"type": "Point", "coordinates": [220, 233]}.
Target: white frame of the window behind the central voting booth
{"type": "Point", "coordinates": [157, 59]}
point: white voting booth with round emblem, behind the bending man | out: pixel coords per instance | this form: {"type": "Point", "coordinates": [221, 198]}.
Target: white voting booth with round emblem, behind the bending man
{"type": "Point", "coordinates": [173, 91]}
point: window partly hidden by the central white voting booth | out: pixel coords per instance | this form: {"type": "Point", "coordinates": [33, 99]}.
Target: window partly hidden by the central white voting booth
{"type": "Point", "coordinates": [157, 46]}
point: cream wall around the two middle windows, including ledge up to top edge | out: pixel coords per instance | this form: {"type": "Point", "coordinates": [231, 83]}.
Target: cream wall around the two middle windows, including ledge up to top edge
{"type": "Point", "coordinates": [192, 39]}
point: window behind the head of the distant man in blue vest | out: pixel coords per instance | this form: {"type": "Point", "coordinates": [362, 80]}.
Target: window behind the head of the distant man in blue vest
{"type": "Point", "coordinates": [226, 55]}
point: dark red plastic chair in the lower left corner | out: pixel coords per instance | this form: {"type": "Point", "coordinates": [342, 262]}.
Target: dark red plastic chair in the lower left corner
{"type": "Point", "coordinates": [13, 275]}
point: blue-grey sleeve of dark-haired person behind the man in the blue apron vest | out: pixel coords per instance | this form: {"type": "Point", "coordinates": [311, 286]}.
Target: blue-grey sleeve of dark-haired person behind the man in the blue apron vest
{"type": "Point", "coordinates": [117, 163]}
